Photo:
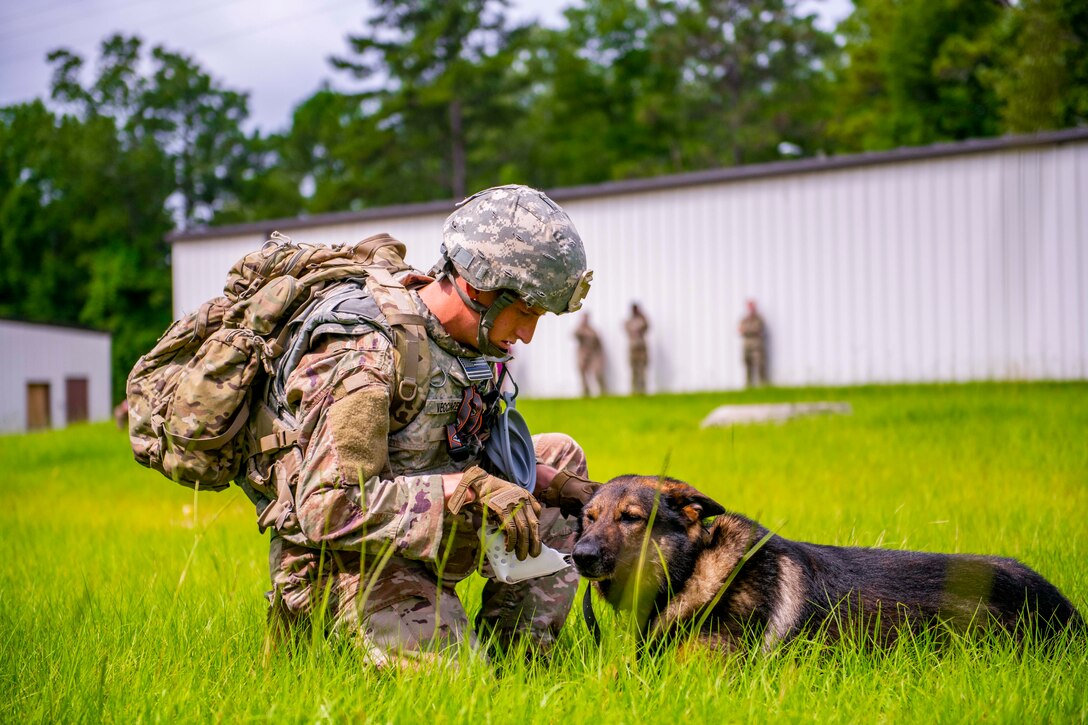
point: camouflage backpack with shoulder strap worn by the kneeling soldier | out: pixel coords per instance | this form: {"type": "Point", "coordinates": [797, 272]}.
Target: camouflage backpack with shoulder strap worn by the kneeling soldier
{"type": "Point", "coordinates": [191, 397]}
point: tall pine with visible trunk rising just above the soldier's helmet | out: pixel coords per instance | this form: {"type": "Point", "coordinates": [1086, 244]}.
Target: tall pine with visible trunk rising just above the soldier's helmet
{"type": "Point", "coordinates": [438, 77]}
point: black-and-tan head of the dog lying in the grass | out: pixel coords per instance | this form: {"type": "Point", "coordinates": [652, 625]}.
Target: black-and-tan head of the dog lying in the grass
{"type": "Point", "coordinates": [628, 511]}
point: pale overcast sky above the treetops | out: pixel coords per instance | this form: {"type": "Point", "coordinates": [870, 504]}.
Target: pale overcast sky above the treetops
{"type": "Point", "coordinates": [277, 51]}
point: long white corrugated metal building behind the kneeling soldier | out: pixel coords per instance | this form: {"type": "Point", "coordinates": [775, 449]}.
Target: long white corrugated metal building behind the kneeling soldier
{"type": "Point", "coordinates": [949, 263]}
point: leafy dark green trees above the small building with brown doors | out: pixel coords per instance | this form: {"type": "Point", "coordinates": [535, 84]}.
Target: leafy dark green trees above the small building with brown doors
{"type": "Point", "coordinates": [89, 193]}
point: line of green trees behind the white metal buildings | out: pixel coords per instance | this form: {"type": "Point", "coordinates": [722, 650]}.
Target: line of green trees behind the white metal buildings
{"type": "Point", "coordinates": [452, 96]}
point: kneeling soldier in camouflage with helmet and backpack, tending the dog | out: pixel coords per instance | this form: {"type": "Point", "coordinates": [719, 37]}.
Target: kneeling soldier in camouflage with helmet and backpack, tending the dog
{"type": "Point", "coordinates": [366, 453]}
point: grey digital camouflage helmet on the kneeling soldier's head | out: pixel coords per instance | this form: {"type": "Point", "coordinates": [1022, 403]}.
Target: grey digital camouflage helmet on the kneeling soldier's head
{"type": "Point", "coordinates": [515, 238]}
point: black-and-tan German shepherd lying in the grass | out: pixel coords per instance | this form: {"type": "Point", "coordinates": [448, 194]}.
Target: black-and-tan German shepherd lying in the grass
{"type": "Point", "coordinates": [647, 547]}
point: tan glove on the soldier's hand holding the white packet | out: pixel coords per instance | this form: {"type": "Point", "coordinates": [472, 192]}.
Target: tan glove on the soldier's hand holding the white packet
{"type": "Point", "coordinates": [513, 507]}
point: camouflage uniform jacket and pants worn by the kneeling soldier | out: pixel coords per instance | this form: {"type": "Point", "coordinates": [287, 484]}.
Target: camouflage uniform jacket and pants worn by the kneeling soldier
{"type": "Point", "coordinates": [370, 545]}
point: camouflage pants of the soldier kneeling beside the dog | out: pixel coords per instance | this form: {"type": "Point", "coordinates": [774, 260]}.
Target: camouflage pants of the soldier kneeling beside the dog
{"type": "Point", "coordinates": [400, 611]}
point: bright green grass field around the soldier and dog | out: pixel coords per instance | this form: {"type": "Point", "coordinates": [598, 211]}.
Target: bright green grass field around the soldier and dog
{"type": "Point", "coordinates": [125, 599]}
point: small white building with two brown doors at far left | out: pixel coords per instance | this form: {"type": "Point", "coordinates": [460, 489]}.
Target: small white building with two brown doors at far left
{"type": "Point", "coordinates": [53, 376]}
